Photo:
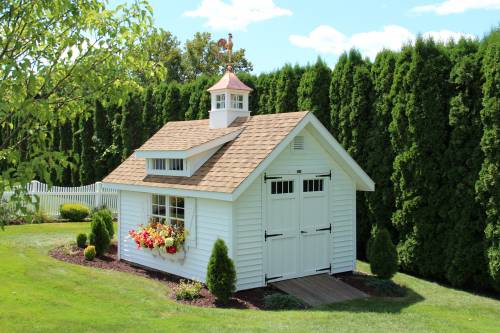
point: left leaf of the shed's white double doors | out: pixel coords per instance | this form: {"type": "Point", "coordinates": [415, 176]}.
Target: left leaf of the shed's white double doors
{"type": "Point", "coordinates": [282, 232]}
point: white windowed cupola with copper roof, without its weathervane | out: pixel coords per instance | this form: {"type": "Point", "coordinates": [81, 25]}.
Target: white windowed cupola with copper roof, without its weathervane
{"type": "Point", "coordinates": [229, 99]}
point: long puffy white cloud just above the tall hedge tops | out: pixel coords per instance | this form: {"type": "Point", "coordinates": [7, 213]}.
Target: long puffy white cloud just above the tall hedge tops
{"type": "Point", "coordinates": [326, 39]}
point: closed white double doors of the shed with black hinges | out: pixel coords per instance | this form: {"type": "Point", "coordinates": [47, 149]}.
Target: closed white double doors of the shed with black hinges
{"type": "Point", "coordinates": [298, 229]}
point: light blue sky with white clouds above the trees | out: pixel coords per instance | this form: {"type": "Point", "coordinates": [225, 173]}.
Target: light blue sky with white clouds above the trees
{"type": "Point", "coordinates": [275, 32]}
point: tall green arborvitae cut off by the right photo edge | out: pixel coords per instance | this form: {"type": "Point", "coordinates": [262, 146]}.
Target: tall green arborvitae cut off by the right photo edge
{"type": "Point", "coordinates": [488, 186]}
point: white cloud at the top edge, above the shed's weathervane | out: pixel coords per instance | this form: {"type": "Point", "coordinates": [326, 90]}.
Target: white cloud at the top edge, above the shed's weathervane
{"type": "Point", "coordinates": [237, 14]}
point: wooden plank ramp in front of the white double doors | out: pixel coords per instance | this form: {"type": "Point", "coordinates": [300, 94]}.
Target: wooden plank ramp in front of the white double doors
{"type": "Point", "coordinates": [319, 289]}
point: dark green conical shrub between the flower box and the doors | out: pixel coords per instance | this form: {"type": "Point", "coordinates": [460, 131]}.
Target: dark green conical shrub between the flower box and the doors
{"type": "Point", "coordinates": [221, 275]}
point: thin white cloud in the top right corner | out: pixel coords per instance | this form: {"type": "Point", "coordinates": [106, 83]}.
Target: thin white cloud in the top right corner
{"type": "Point", "coordinates": [457, 6]}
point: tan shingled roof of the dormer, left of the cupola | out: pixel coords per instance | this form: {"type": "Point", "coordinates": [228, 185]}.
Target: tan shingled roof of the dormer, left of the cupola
{"type": "Point", "coordinates": [183, 135]}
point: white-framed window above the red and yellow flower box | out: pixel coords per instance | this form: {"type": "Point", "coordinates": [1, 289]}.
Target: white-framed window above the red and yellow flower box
{"type": "Point", "coordinates": [167, 210]}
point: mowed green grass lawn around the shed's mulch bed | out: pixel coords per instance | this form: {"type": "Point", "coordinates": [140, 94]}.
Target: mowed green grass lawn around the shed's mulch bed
{"type": "Point", "coordinates": [41, 294]}
